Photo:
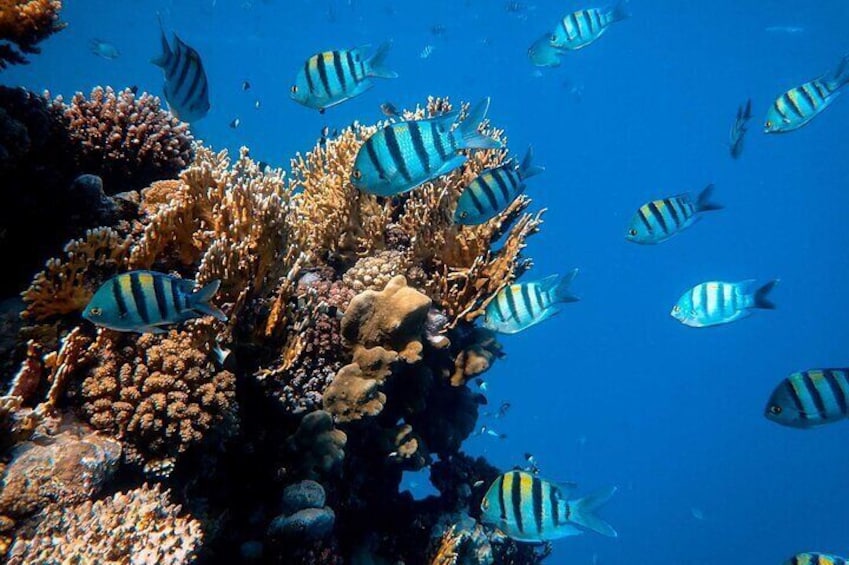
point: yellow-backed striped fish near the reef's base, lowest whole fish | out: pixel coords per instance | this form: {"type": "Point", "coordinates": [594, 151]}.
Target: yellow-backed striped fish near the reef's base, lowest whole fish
{"type": "Point", "coordinates": [528, 508]}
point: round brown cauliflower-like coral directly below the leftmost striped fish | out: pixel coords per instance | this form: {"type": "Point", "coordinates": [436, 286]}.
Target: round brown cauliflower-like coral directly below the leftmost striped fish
{"type": "Point", "coordinates": [159, 395]}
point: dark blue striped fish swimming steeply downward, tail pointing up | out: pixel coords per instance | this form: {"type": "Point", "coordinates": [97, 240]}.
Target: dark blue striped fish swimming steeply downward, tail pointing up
{"type": "Point", "coordinates": [186, 87]}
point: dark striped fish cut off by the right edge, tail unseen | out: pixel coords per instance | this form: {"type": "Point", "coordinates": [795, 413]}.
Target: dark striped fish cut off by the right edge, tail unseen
{"type": "Point", "coordinates": [810, 398]}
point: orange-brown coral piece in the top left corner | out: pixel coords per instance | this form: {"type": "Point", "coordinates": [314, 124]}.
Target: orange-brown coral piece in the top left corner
{"type": "Point", "coordinates": [23, 25]}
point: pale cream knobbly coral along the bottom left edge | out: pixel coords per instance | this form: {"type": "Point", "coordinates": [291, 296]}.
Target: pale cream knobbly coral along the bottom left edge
{"type": "Point", "coordinates": [139, 526]}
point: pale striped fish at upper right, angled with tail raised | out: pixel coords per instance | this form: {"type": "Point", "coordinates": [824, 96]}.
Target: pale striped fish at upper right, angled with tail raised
{"type": "Point", "coordinates": [801, 104]}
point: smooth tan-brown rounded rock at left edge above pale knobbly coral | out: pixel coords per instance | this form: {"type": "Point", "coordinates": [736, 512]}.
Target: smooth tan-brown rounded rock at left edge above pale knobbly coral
{"type": "Point", "coordinates": [65, 469]}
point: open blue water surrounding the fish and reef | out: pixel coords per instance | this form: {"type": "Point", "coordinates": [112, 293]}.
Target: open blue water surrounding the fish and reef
{"type": "Point", "coordinates": [612, 391]}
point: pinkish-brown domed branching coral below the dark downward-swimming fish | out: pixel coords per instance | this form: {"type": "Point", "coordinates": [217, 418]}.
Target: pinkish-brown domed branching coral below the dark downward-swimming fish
{"type": "Point", "coordinates": [128, 141]}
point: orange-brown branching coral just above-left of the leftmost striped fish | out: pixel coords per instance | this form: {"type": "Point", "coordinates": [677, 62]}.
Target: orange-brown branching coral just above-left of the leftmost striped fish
{"type": "Point", "coordinates": [66, 285]}
